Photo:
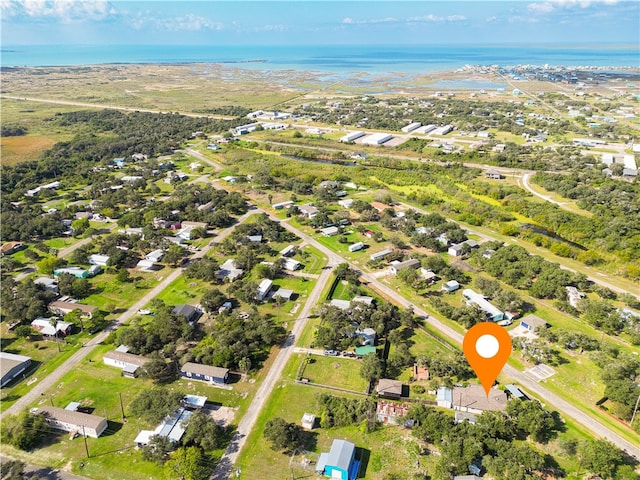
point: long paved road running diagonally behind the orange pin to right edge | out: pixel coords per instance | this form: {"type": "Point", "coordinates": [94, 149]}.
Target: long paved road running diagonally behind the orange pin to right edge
{"type": "Point", "coordinates": [550, 398]}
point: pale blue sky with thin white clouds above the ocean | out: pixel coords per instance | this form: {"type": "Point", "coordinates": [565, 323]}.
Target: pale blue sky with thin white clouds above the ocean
{"type": "Point", "coordinates": [302, 22]}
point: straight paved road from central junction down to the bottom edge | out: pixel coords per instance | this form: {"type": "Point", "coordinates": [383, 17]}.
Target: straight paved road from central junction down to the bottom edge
{"type": "Point", "coordinates": [224, 468]}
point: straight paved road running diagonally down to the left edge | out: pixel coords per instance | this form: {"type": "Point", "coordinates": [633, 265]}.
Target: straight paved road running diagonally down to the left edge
{"type": "Point", "coordinates": [54, 377]}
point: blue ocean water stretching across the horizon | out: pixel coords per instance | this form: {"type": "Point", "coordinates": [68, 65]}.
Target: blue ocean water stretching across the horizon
{"type": "Point", "coordinates": [326, 58]}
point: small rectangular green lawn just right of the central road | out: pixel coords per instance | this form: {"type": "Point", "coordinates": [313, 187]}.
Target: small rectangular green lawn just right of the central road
{"type": "Point", "coordinates": [335, 371]}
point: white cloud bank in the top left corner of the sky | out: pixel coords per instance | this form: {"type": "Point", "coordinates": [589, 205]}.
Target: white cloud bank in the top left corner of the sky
{"type": "Point", "coordinates": [64, 10]}
